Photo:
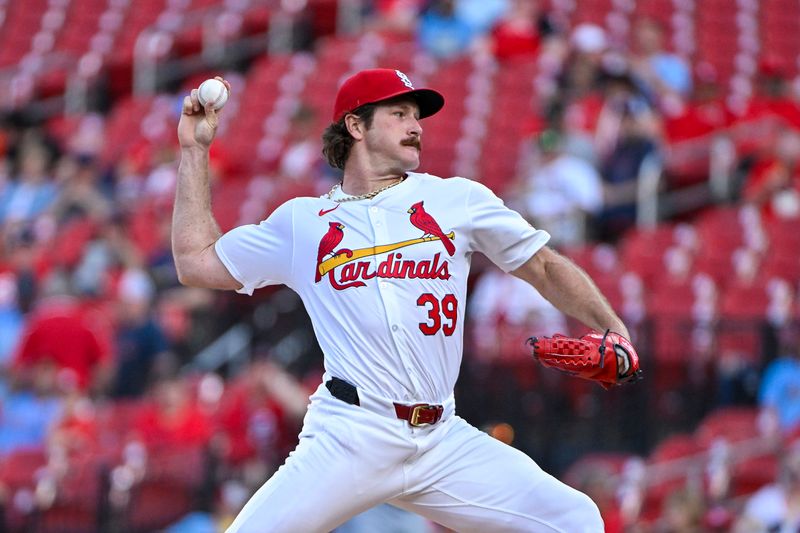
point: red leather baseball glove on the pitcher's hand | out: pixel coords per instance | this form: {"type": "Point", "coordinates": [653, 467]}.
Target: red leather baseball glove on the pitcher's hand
{"type": "Point", "coordinates": [609, 359]}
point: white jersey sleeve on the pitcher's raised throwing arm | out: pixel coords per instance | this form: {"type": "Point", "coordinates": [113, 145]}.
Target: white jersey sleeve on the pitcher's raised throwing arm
{"type": "Point", "coordinates": [262, 254]}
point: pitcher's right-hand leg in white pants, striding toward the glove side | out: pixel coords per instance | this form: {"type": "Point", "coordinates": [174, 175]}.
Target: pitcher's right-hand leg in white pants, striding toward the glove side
{"type": "Point", "coordinates": [471, 482]}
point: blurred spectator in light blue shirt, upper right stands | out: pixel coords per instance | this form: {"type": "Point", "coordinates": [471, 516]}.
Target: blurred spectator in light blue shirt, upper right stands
{"type": "Point", "coordinates": [665, 73]}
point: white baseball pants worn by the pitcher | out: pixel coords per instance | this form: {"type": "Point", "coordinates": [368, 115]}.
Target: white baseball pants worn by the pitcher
{"type": "Point", "coordinates": [350, 458]}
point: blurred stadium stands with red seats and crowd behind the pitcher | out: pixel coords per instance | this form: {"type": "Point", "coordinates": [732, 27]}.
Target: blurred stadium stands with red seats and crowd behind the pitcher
{"type": "Point", "coordinates": [657, 141]}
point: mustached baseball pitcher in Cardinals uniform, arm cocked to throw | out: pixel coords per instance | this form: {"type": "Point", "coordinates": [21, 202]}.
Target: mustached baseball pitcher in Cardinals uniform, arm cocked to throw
{"type": "Point", "coordinates": [381, 264]}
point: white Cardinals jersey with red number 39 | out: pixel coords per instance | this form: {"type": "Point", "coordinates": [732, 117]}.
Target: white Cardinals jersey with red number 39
{"type": "Point", "coordinates": [384, 280]}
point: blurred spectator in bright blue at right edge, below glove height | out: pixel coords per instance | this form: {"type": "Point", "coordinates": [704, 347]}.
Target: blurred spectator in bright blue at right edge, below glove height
{"type": "Point", "coordinates": [779, 393]}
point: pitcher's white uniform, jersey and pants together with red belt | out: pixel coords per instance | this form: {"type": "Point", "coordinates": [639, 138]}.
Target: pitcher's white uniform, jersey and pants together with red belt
{"type": "Point", "coordinates": [384, 280]}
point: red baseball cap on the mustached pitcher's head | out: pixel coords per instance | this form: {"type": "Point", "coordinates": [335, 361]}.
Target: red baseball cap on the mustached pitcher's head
{"type": "Point", "coordinates": [378, 84]}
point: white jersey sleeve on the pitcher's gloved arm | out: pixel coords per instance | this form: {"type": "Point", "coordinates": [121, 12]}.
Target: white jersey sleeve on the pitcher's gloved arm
{"type": "Point", "coordinates": [500, 233]}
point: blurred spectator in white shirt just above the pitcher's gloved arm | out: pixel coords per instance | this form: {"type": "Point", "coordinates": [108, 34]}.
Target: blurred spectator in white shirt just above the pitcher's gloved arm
{"type": "Point", "coordinates": [563, 192]}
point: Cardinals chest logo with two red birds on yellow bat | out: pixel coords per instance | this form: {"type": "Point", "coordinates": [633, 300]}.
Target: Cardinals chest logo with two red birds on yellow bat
{"type": "Point", "coordinates": [354, 272]}
